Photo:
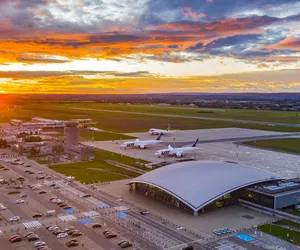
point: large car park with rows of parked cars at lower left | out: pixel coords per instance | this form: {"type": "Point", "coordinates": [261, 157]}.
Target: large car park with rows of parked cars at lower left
{"type": "Point", "coordinates": [35, 200]}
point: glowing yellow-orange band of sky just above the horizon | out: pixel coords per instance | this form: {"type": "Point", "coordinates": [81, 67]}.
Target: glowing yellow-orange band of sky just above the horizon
{"type": "Point", "coordinates": [74, 83]}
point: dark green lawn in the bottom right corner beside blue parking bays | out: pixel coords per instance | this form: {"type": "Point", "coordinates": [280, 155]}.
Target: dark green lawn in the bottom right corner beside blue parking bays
{"type": "Point", "coordinates": [282, 233]}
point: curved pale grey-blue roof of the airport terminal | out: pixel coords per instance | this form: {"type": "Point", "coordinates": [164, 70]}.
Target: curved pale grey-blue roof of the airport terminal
{"type": "Point", "coordinates": [198, 183]}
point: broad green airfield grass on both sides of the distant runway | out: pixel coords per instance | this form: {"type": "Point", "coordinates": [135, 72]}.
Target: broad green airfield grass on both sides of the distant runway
{"type": "Point", "coordinates": [126, 123]}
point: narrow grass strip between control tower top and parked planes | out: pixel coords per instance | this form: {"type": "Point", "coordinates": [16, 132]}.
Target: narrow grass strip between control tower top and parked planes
{"type": "Point", "coordinates": [104, 136]}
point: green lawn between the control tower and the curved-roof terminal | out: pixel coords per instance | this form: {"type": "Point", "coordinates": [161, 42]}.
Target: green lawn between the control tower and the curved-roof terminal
{"type": "Point", "coordinates": [86, 172]}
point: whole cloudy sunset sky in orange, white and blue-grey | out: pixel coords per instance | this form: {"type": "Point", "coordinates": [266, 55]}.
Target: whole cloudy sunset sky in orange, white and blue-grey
{"type": "Point", "coordinates": [149, 46]}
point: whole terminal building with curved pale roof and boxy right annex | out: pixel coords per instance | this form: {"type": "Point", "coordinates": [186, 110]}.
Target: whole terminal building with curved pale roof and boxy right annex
{"type": "Point", "coordinates": [198, 186]}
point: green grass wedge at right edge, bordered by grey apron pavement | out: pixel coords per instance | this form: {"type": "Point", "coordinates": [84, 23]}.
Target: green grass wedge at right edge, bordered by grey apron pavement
{"type": "Point", "coordinates": [291, 145]}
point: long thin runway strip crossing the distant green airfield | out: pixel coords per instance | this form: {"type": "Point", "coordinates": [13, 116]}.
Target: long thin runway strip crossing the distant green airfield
{"type": "Point", "coordinates": [197, 117]}
